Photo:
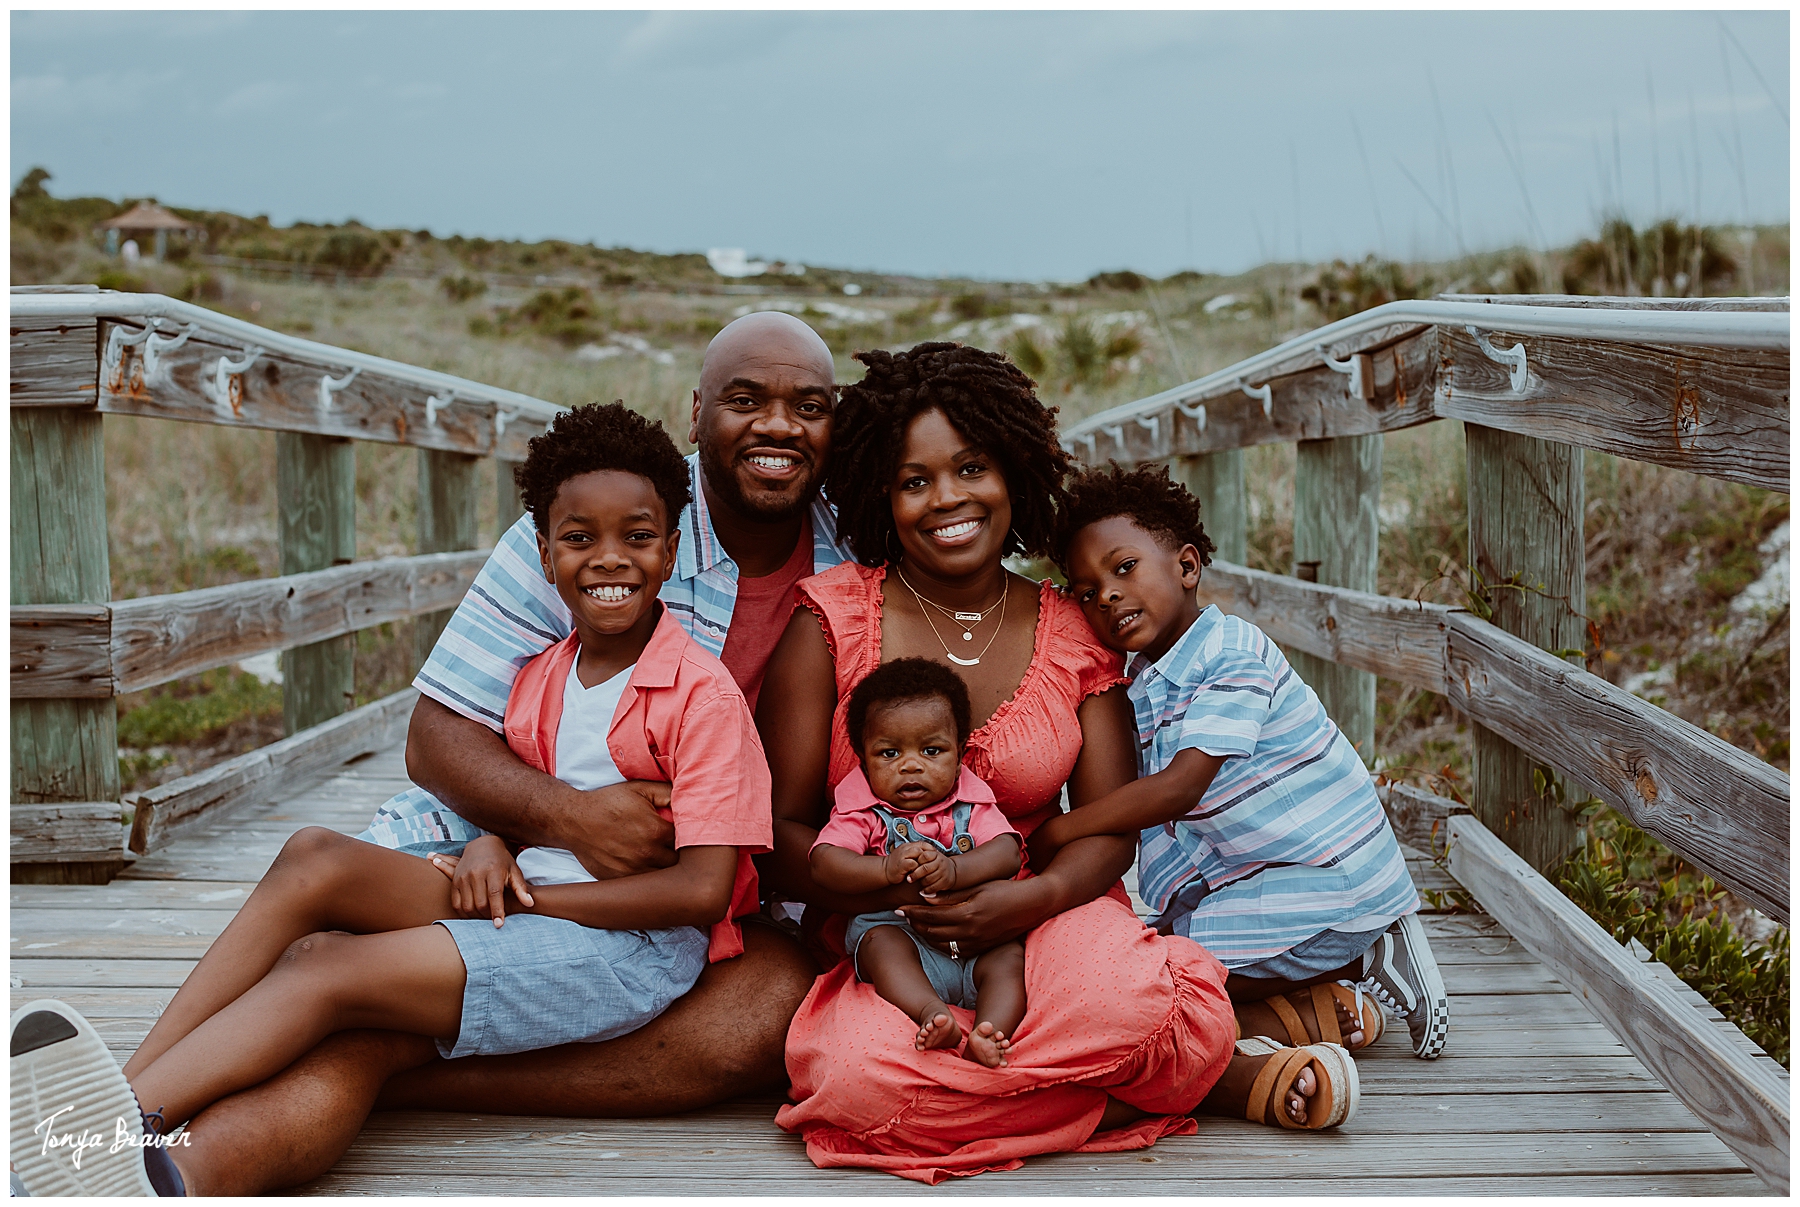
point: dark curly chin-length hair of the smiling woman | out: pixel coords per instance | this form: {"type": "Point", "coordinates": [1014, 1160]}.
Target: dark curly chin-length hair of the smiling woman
{"type": "Point", "coordinates": [985, 398]}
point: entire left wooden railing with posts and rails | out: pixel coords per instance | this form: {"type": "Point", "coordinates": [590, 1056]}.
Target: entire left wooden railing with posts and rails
{"type": "Point", "coordinates": [80, 355]}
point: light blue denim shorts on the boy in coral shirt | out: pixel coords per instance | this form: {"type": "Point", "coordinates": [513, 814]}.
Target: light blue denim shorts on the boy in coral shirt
{"type": "Point", "coordinates": [544, 981]}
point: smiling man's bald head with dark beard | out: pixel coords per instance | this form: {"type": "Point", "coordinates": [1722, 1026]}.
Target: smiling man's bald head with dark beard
{"type": "Point", "coordinates": [764, 416]}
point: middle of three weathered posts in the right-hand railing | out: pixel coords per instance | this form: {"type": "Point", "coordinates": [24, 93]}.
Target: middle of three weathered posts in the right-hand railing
{"type": "Point", "coordinates": [1336, 542]}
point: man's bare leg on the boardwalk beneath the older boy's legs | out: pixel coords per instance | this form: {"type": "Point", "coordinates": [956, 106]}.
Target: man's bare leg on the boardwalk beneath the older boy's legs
{"type": "Point", "coordinates": [723, 1041]}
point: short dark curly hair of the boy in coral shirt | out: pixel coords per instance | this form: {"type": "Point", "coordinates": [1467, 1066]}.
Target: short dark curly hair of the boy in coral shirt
{"type": "Point", "coordinates": [600, 438]}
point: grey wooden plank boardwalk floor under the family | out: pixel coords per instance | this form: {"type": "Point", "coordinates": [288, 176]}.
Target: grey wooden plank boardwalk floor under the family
{"type": "Point", "coordinates": [1533, 1095]}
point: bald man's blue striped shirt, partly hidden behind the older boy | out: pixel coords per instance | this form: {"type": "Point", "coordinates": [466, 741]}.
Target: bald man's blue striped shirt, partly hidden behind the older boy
{"type": "Point", "coordinates": [510, 616]}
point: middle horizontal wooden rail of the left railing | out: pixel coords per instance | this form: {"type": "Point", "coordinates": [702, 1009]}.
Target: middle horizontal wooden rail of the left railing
{"type": "Point", "coordinates": [105, 650]}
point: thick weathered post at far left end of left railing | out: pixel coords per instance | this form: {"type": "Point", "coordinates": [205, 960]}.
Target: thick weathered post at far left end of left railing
{"type": "Point", "coordinates": [64, 751]}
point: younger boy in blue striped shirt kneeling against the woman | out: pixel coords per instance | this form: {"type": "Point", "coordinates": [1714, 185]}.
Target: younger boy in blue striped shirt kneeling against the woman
{"type": "Point", "coordinates": [1261, 834]}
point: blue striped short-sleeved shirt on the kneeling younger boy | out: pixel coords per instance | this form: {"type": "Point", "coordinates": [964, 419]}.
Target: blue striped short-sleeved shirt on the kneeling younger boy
{"type": "Point", "coordinates": [1290, 839]}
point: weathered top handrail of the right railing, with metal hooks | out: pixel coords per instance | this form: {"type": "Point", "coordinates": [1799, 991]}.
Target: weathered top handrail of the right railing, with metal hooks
{"type": "Point", "coordinates": [1702, 391]}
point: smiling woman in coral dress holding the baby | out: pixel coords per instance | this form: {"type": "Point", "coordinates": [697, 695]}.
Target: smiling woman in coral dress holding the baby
{"type": "Point", "coordinates": [946, 463]}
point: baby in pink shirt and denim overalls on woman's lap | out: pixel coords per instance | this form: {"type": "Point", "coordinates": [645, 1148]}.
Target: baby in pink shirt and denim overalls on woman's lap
{"type": "Point", "coordinates": [917, 816]}
